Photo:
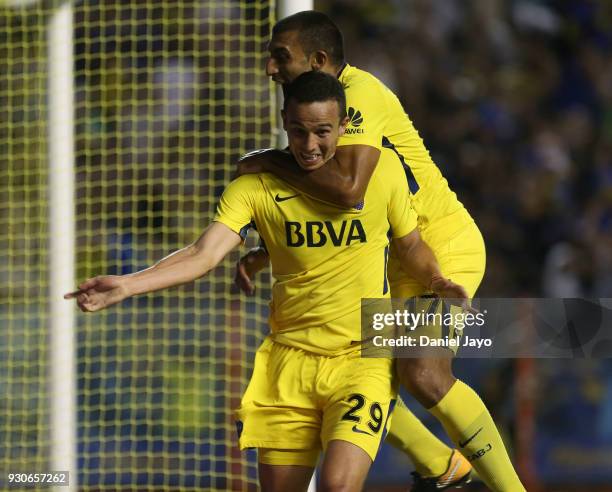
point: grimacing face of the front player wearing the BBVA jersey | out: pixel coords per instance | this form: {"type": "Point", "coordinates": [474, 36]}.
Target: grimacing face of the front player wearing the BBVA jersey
{"type": "Point", "coordinates": [313, 130]}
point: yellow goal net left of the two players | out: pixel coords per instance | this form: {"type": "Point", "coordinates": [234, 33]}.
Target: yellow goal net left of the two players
{"type": "Point", "coordinates": [168, 94]}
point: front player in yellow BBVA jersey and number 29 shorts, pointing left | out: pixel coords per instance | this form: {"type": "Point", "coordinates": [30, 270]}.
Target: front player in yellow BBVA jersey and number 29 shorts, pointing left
{"type": "Point", "coordinates": [310, 388]}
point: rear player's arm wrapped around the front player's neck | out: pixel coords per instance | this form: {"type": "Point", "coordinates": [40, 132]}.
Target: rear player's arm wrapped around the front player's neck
{"type": "Point", "coordinates": [342, 181]}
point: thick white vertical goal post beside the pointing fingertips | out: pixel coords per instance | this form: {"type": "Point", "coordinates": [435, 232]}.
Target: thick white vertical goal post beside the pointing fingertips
{"type": "Point", "coordinates": [62, 373]}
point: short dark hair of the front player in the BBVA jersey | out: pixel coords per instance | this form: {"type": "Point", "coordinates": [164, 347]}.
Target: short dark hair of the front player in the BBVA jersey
{"type": "Point", "coordinates": [315, 86]}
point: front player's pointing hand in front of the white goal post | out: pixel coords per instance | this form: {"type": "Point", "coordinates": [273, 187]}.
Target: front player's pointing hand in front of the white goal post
{"type": "Point", "coordinates": [99, 293]}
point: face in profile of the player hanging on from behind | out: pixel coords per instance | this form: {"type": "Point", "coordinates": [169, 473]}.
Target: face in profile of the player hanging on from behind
{"type": "Point", "coordinates": [287, 59]}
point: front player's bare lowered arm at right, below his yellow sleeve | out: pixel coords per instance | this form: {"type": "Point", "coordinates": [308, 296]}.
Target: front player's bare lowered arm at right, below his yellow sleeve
{"type": "Point", "coordinates": [418, 260]}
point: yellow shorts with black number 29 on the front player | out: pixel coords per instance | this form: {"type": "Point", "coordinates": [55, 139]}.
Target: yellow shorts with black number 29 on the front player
{"type": "Point", "coordinates": [297, 400]}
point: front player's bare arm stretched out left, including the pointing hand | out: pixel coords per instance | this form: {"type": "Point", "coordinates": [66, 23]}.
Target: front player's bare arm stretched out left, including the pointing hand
{"type": "Point", "coordinates": [182, 266]}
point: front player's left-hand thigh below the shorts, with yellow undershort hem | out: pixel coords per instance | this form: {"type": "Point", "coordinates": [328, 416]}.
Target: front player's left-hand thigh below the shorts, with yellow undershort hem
{"type": "Point", "coordinates": [281, 470]}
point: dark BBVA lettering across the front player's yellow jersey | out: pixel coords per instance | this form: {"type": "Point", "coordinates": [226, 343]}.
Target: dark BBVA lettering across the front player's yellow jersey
{"type": "Point", "coordinates": [314, 234]}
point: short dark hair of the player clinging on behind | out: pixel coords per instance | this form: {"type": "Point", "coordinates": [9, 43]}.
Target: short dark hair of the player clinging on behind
{"type": "Point", "coordinates": [316, 32]}
